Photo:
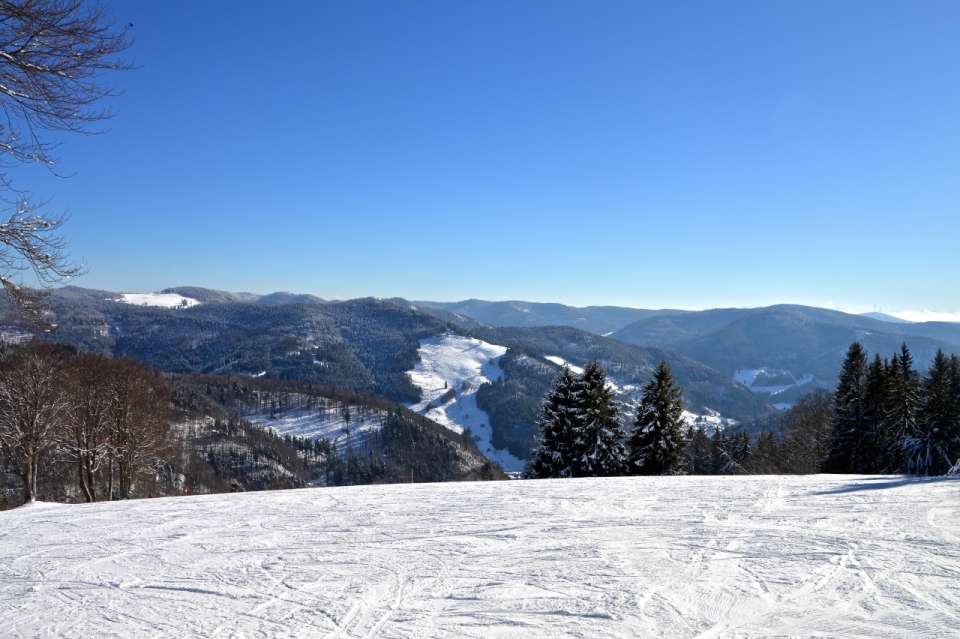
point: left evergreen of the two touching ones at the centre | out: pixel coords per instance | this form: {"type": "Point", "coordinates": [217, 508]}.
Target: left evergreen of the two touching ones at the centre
{"type": "Point", "coordinates": [560, 418]}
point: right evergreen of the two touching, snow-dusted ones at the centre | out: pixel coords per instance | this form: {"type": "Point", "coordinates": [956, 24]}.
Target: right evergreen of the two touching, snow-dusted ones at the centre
{"type": "Point", "coordinates": [597, 450]}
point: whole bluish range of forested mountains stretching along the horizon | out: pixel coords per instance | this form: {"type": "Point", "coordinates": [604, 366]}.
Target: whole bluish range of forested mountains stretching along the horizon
{"type": "Point", "coordinates": [739, 363]}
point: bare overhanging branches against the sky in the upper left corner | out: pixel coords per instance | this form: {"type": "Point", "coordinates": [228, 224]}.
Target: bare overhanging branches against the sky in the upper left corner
{"type": "Point", "coordinates": [54, 55]}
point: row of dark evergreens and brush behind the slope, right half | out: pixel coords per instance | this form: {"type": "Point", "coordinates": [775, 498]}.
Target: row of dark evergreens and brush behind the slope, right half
{"type": "Point", "coordinates": [883, 417]}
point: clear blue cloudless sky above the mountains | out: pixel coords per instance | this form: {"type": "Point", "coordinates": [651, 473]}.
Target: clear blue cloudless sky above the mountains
{"type": "Point", "coordinates": [686, 155]}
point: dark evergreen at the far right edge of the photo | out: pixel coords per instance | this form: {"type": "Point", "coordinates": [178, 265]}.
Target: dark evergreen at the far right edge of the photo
{"type": "Point", "coordinates": [933, 446]}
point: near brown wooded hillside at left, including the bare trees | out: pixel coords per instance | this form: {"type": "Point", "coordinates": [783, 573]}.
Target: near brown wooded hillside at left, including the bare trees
{"type": "Point", "coordinates": [80, 426]}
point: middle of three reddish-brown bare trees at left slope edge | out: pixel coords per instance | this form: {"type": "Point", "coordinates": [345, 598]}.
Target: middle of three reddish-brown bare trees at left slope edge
{"type": "Point", "coordinates": [85, 437]}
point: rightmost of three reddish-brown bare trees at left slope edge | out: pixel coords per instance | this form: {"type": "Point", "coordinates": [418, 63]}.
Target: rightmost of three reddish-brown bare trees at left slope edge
{"type": "Point", "coordinates": [139, 417]}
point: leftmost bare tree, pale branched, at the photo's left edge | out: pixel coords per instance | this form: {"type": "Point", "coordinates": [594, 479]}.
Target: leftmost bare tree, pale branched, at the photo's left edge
{"type": "Point", "coordinates": [33, 405]}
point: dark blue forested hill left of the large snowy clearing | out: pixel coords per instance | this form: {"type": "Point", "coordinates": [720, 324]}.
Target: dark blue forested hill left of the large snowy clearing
{"type": "Point", "coordinates": [364, 345]}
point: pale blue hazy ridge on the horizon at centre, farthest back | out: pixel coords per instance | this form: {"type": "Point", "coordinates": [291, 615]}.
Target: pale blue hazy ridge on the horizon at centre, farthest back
{"type": "Point", "coordinates": [596, 319]}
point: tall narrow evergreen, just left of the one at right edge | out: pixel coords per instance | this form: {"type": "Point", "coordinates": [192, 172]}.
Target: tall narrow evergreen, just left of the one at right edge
{"type": "Point", "coordinates": [901, 415]}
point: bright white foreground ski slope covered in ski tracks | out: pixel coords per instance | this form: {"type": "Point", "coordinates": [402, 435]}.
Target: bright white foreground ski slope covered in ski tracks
{"type": "Point", "coordinates": [825, 556]}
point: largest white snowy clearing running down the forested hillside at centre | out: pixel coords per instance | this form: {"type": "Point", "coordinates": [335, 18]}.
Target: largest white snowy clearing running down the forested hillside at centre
{"type": "Point", "coordinates": [462, 364]}
